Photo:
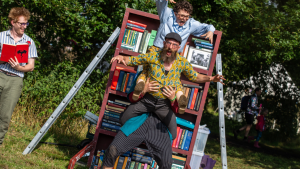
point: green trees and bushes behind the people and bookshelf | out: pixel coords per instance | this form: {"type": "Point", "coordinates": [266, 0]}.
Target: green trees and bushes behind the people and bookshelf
{"type": "Point", "coordinates": [256, 34]}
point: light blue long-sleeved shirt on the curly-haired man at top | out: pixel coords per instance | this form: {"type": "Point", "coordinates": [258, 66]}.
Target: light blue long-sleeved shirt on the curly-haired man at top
{"type": "Point", "coordinates": [168, 24]}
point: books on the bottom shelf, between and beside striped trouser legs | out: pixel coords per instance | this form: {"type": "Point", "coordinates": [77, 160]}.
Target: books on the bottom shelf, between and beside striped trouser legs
{"type": "Point", "coordinates": [137, 158]}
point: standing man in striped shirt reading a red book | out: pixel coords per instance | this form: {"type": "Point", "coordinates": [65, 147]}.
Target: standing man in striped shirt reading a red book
{"type": "Point", "coordinates": [12, 70]}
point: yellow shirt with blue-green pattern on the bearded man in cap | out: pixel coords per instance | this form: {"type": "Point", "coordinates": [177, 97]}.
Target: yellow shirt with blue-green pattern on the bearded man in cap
{"type": "Point", "coordinates": [156, 70]}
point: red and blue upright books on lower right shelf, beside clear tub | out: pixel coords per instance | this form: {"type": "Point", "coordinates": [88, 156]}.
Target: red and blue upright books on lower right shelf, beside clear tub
{"type": "Point", "coordinates": [183, 139]}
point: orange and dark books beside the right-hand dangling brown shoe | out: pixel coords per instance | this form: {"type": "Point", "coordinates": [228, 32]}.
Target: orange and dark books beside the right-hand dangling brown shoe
{"type": "Point", "coordinates": [194, 95]}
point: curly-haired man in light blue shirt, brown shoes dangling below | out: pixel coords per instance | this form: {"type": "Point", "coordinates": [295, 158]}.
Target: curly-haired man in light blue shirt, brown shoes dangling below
{"type": "Point", "coordinates": [176, 20]}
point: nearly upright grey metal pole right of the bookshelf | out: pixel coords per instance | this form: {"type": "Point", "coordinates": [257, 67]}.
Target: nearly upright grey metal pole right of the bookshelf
{"type": "Point", "coordinates": [221, 114]}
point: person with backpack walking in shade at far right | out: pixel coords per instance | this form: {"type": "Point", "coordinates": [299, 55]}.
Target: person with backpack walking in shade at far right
{"type": "Point", "coordinates": [249, 115]}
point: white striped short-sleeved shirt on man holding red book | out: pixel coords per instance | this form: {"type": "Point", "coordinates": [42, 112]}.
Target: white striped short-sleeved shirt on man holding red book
{"type": "Point", "coordinates": [6, 38]}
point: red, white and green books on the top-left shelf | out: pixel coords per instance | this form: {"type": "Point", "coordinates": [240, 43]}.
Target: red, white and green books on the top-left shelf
{"type": "Point", "coordinates": [136, 38]}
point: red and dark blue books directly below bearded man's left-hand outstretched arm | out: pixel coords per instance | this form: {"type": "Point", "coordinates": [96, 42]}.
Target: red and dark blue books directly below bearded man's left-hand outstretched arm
{"type": "Point", "coordinates": [122, 79]}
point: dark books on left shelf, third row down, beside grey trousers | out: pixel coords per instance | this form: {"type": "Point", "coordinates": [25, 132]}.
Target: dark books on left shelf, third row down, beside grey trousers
{"type": "Point", "coordinates": [111, 116]}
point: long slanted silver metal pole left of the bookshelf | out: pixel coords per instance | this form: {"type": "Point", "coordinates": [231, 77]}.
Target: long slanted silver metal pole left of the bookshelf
{"type": "Point", "coordinates": [72, 92]}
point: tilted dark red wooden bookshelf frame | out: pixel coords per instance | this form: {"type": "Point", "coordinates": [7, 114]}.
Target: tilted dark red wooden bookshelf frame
{"type": "Point", "coordinates": [103, 138]}
